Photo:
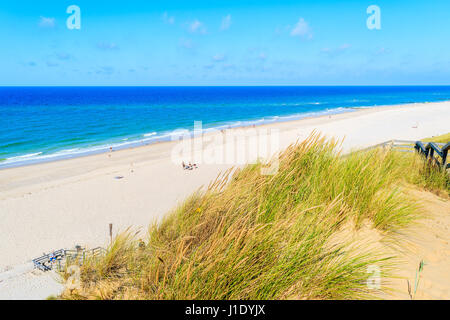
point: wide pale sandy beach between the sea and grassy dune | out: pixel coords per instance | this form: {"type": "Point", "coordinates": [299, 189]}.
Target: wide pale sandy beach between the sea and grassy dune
{"type": "Point", "coordinates": [60, 204]}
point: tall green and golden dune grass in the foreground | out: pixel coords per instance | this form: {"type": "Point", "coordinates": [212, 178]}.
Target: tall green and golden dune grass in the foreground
{"type": "Point", "coordinates": [253, 236]}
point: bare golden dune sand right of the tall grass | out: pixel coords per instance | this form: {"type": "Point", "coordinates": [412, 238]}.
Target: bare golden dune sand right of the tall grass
{"type": "Point", "coordinates": [426, 240]}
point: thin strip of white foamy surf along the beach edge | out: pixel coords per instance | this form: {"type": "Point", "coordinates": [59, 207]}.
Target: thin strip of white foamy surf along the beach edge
{"type": "Point", "coordinates": [166, 136]}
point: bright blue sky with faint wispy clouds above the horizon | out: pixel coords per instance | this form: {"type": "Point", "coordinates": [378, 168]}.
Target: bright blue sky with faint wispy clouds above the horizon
{"type": "Point", "coordinates": [225, 43]}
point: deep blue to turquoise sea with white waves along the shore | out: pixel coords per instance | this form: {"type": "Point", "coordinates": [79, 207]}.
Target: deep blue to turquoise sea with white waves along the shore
{"type": "Point", "coordinates": [48, 123]}
